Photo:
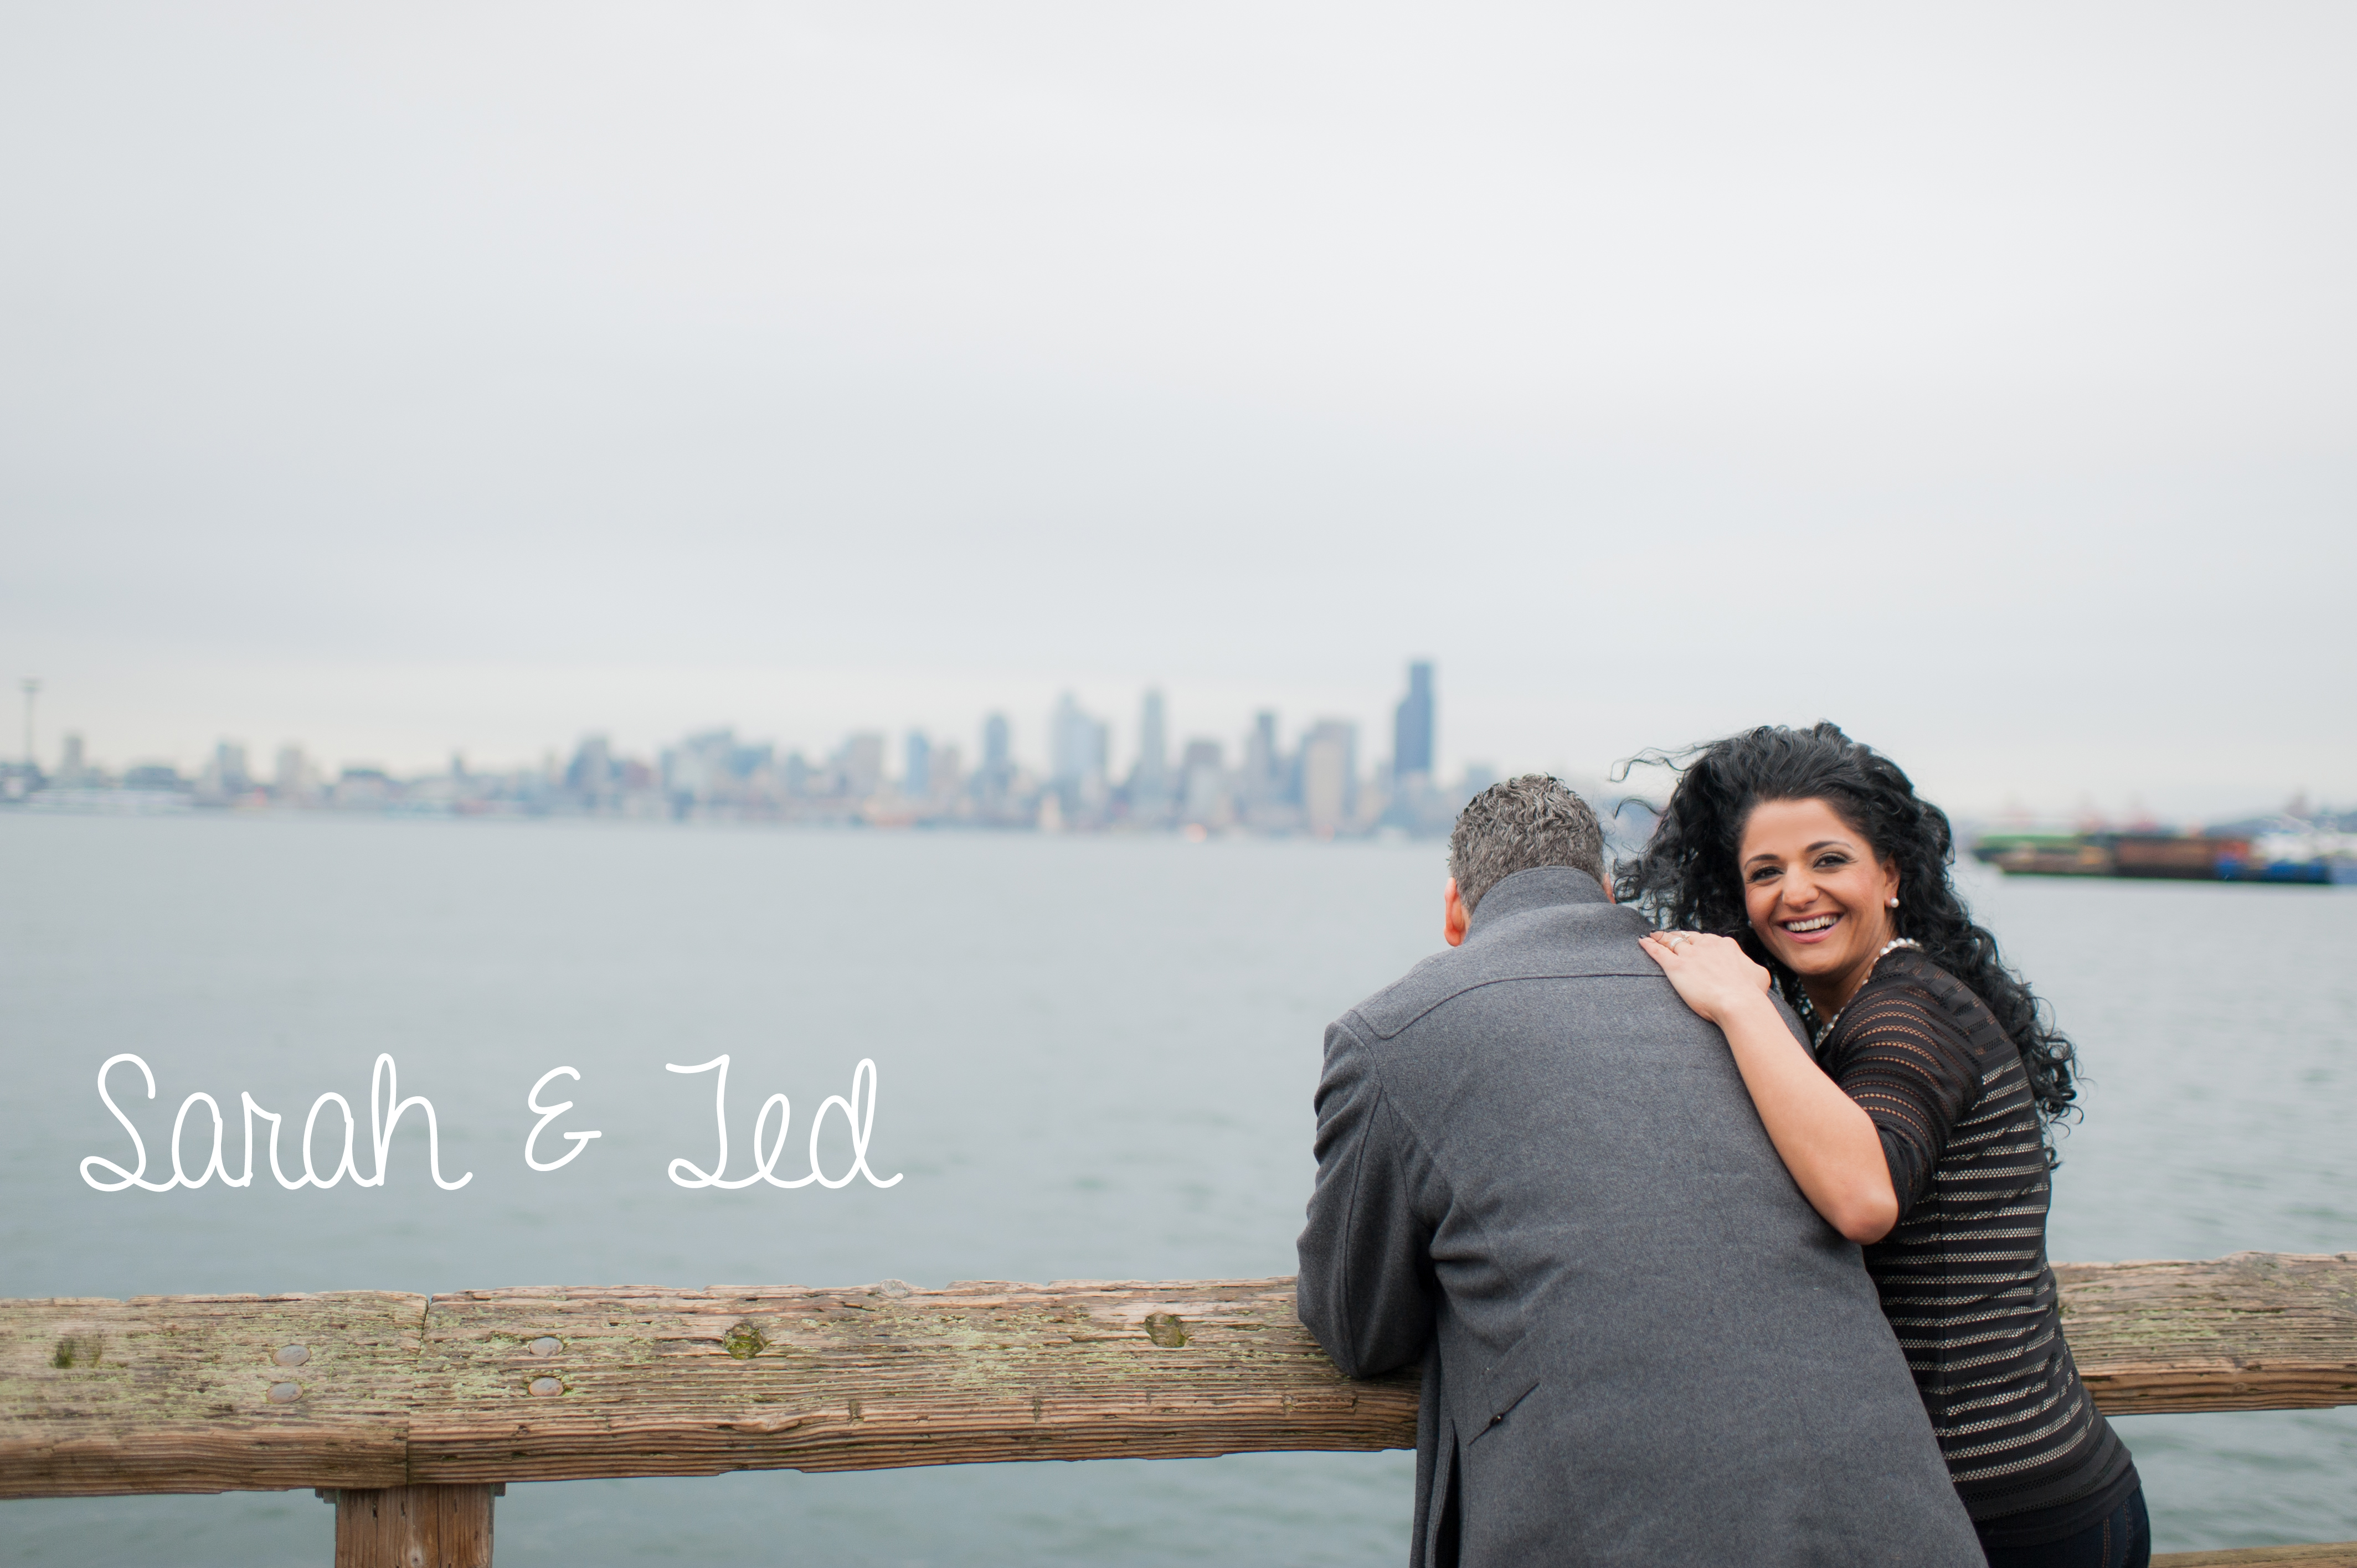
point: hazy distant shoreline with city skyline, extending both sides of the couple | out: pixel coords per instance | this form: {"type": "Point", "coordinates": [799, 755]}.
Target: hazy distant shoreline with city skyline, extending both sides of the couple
{"type": "Point", "coordinates": [1272, 775]}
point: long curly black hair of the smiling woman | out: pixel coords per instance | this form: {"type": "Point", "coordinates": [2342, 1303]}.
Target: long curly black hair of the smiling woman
{"type": "Point", "coordinates": [1689, 874]}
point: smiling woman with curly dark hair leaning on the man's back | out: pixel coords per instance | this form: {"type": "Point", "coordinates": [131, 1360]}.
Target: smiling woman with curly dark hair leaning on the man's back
{"type": "Point", "coordinates": [1807, 862]}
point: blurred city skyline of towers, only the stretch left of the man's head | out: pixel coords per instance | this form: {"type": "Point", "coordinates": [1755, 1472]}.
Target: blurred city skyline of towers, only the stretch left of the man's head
{"type": "Point", "coordinates": [1272, 784]}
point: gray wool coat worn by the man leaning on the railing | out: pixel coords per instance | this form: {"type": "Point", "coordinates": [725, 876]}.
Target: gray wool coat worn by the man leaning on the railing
{"type": "Point", "coordinates": [1543, 1178]}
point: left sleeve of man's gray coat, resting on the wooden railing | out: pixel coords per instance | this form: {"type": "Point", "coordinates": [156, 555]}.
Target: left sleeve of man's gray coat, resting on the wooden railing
{"type": "Point", "coordinates": [1366, 1258]}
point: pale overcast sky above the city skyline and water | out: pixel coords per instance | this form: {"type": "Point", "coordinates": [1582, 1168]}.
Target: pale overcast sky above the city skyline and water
{"type": "Point", "coordinates": [421, 378]}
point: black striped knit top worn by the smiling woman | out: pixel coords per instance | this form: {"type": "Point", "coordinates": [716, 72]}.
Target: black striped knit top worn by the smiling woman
{"type": "Point", "coordinates": [1965, 1274]}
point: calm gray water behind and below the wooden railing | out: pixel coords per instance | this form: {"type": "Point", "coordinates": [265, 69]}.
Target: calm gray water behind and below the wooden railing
{"type": "Point", "coordinates": [1095, 1062]}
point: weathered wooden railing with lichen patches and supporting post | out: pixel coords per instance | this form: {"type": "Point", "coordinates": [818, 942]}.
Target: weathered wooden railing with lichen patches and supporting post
{"type": "Point", "coordinates": [414, 1409]}
